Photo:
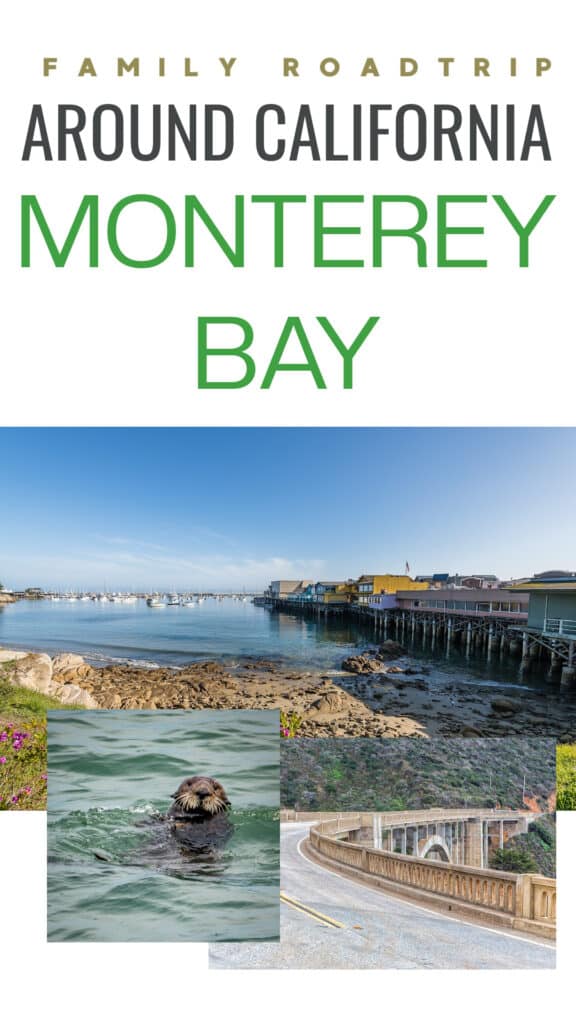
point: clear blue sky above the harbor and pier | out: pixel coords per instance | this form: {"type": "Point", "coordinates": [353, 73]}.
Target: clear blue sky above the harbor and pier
{"type": "Point", "coordinates": [231, 508]}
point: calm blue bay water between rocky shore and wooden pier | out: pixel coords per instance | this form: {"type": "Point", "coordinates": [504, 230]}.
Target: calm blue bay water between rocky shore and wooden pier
{"type": "Point", "coordinates": [225, 630]}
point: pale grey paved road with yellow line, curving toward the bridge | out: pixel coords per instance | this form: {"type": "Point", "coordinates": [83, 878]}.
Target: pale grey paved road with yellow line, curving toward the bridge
{"type": "Point", "coordinates": [379, 930]}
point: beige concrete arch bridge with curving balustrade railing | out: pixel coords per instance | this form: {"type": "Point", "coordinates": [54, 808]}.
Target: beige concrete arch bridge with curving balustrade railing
{"type": "Point", "coordinates": [440, 858]}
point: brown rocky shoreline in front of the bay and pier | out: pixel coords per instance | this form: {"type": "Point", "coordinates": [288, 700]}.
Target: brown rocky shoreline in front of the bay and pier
{"type": "Point", "coordinates": [378, 694]}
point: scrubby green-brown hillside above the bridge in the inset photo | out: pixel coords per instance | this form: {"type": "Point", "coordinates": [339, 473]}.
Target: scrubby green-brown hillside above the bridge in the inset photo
{"type": "Point", "coordinates": [399, 775]}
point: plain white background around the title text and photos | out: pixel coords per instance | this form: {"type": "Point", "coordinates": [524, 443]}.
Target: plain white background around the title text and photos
{"type": "Point", "coordinates": [117, 347]}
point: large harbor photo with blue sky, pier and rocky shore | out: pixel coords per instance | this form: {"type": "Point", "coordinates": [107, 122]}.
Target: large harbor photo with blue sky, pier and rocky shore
{"type": "Point", "coordinates": [363, 582]}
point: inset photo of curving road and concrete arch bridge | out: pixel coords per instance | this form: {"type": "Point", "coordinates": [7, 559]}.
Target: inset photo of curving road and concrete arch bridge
{"type": "Point", "coordinates": [414, 855]}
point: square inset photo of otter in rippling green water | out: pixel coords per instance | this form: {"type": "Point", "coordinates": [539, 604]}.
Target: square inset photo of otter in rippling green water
{"type": "Point", "coordinates": [163, 826]}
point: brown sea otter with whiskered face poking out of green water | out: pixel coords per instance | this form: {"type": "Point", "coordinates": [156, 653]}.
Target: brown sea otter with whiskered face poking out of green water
{"type": "Point", "coordinates": [199, 815]}
